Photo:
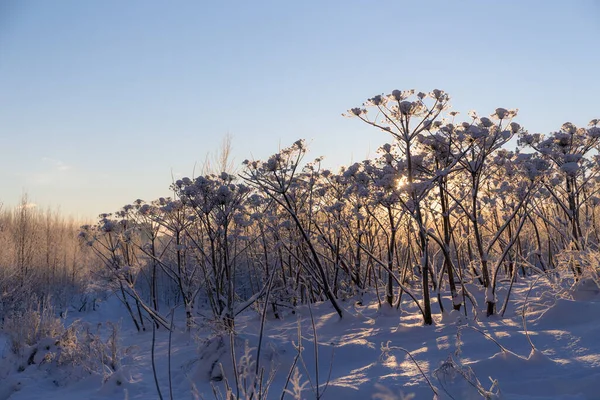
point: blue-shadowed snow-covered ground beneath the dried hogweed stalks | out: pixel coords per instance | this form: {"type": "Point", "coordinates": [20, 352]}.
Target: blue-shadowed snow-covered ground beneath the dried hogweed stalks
{"type": "Point", "coordinates": [362, 356]}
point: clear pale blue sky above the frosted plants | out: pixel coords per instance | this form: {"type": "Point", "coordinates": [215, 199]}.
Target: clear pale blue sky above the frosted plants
{"type": "Point", "coordinates": [105, 102]}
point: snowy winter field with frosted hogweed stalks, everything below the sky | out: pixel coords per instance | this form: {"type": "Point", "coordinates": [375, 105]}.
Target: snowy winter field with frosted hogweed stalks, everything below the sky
{"type": "Point", "coordinates": [457, 264]}
